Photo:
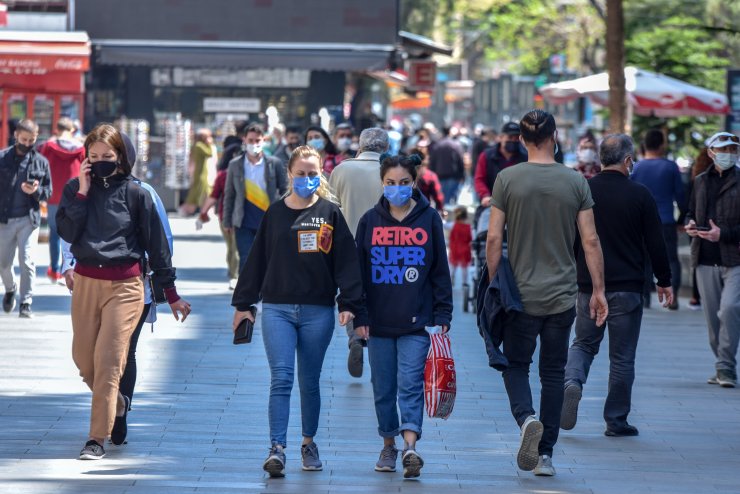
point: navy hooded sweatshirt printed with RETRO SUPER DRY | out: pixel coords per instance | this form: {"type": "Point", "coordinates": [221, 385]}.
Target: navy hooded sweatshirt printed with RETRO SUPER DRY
{"type": "Point", "coordinates": [404, 270]}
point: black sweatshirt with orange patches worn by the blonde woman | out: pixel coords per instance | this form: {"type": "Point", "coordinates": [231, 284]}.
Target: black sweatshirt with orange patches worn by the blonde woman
{"type": "Point", "coordinates": [301, 256]}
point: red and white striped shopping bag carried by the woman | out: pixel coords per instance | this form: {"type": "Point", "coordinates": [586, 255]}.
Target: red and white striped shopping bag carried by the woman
{"type": "Point", "coordinates": [440, 386]}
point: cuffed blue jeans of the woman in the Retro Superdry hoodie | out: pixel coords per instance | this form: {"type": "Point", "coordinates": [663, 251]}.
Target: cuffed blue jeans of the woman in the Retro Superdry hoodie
{"type": "Point", "coordinates": [397, 366]}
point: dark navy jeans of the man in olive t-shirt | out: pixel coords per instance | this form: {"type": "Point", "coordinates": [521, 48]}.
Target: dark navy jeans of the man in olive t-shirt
{"type": "Point", "coordinates": [520, 341]}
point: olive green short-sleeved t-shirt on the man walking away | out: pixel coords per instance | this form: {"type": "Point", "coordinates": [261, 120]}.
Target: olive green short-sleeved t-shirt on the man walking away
{"type": "Point", "coordinates": [541, 203]}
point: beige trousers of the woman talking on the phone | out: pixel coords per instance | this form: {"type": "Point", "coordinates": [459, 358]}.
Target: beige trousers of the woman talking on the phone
{"type": "Point", "coordinates": [104, 315]}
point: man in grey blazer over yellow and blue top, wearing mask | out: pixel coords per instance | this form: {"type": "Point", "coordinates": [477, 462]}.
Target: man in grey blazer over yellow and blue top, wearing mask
{"type": "Point", "coordinates": [253, 182]}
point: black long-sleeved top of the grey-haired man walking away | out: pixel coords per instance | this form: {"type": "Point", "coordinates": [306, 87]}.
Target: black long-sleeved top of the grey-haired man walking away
{"type": "Point", "coordinates": [628, 223]}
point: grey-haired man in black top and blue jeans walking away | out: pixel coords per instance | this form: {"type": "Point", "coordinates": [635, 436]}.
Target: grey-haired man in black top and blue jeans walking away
{"type": "Point", "coordinates": [626, 219]}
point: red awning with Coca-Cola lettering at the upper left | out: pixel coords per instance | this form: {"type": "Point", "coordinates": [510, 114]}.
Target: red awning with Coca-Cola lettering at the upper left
{"type": "Point", "coordinates": [43, 61]}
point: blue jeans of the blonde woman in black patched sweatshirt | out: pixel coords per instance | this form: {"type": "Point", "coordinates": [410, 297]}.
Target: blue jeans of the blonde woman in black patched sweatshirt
{"type": "Point", "coordinates": [287, 330]}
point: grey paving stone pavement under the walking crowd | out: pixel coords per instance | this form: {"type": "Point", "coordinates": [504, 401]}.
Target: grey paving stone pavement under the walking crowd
{"type": "Point", "coordinates": [199, 417]}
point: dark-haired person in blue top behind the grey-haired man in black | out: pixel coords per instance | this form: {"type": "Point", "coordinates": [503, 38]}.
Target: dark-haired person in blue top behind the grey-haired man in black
{"type": "Point", "coordinates": [663, 178]}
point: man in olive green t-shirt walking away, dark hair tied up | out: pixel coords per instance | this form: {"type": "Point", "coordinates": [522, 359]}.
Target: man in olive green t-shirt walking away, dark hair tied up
{"type": "Point", "coordinates": [541, 203]}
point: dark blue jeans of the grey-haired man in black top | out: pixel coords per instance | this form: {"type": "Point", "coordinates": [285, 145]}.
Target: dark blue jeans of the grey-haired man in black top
{"type": "Point", "coordinates": [624, 320]}
